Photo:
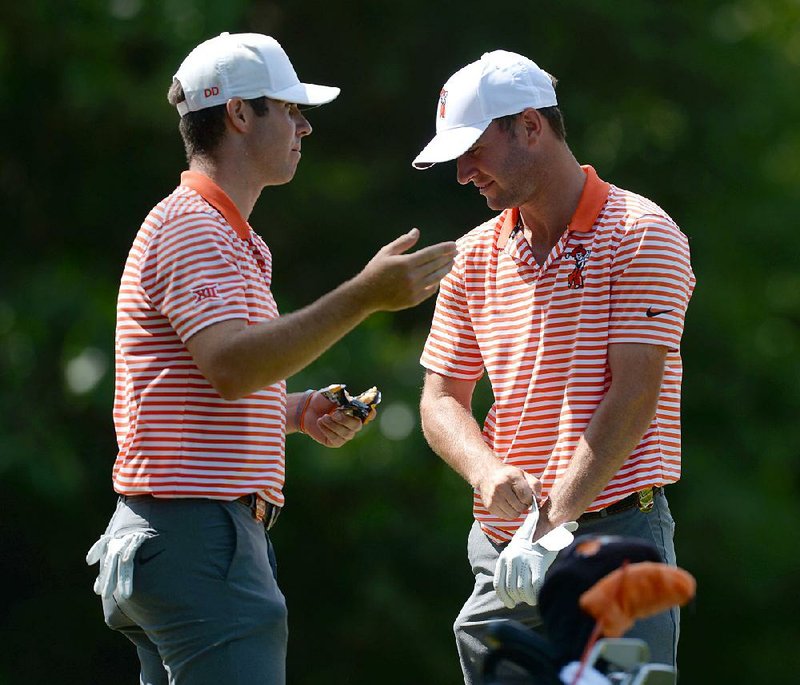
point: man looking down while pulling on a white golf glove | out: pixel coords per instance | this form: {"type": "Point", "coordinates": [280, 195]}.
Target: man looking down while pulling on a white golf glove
{"type": "Point", "coordinates": [572, 301]}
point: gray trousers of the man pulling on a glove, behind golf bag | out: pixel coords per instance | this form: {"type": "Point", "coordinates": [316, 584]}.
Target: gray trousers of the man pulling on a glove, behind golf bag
{"type": "Point", "coordinates": [660, 632]}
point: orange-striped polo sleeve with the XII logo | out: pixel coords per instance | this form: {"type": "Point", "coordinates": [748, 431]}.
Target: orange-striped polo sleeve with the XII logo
{"type": "Point", "coordinates": [191, 274]}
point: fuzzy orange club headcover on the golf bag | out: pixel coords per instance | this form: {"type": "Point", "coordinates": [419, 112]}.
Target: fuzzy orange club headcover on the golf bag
{"type": "Point", "coordinates": [636, 591]}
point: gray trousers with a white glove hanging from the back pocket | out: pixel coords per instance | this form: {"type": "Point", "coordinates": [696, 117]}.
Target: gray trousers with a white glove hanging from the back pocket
{"type": "Point", "coordinates": [206, 608]}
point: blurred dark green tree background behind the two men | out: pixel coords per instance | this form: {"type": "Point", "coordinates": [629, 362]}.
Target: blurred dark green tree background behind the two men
{"type": "Point", "coordinates": [693, 104]}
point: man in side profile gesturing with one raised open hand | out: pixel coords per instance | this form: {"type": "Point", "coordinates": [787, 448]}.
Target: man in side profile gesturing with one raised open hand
{"type": "Point", "coordinates": [187, 571]}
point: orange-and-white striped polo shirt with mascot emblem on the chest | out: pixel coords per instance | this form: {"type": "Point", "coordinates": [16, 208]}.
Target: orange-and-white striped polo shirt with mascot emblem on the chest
{"type": "Point", "coordinates": [619, 274]}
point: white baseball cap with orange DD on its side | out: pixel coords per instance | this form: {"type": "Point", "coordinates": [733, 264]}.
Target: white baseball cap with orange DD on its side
{"type": "Point", "coordinates": [245, 65]}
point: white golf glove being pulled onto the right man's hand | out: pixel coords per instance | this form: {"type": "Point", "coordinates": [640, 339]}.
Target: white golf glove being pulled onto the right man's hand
{"type": "Point", "coordinates": [519, 573]}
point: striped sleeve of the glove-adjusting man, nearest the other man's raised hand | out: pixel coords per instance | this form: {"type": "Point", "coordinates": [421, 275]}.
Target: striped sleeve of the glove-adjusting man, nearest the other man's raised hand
{"type": "Point", "coordinates": [451, 348]}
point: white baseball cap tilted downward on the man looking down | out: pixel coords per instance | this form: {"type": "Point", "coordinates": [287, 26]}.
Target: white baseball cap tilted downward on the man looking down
{"type": "Point", "coordinates": [498, 84]}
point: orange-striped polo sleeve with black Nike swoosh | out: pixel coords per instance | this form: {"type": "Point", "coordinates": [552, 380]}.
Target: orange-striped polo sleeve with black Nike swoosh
{"type": "Point", "coordinates": [651, 283]}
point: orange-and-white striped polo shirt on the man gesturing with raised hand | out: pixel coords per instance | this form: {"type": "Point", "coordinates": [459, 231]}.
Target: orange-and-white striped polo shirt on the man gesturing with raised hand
{"type": "Point", "coordinates": [195, 262]}
